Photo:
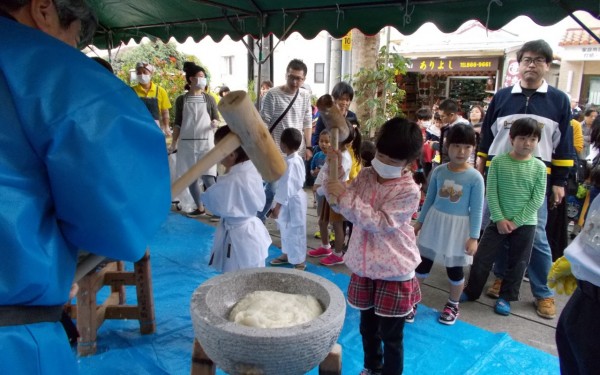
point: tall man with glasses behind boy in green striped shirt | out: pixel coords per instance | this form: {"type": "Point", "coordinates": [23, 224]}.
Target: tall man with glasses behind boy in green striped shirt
{"type": "Point", "coordinates": [533, 97]}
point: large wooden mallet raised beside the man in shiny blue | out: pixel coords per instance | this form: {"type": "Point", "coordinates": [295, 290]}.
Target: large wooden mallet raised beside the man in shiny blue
{"type": "Point", "coordinates": [247, 130]}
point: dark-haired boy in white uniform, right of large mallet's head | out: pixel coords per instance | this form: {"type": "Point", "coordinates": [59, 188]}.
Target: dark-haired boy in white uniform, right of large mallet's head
{"type": "Point", "coordinates": [290, 203]}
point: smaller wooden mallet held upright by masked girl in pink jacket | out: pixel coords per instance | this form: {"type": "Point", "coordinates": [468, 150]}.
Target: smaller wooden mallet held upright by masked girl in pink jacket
{"type": "Point", "coordinates": [338, 128]}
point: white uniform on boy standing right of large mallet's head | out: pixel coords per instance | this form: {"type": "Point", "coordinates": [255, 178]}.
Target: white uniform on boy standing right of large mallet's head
{"type": "Point", "coordinates": [292, 216]}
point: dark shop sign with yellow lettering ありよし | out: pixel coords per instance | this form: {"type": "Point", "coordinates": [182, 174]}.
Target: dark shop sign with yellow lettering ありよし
{"type": "Point", "coordinates": [455, 64]}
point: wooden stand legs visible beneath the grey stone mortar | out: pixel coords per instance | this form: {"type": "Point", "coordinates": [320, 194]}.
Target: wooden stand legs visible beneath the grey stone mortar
{"type": "Point", "coordinates": [202, 365]}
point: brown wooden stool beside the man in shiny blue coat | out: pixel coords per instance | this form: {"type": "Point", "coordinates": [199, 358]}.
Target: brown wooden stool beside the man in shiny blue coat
{"type": "Point", "coordinates": [90, 315]}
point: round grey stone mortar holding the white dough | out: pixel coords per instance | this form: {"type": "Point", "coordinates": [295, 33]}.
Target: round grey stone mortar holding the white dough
{"type": "Point", "coordinates": [238, 349]}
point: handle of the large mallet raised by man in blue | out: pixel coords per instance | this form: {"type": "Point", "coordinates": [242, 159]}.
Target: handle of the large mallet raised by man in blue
{"type": "Point", "coordinates": [225, 147]}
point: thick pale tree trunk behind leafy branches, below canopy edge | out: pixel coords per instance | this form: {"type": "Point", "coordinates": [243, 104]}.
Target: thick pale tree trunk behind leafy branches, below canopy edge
{"type": "Point", "coordinates": [365, 50]}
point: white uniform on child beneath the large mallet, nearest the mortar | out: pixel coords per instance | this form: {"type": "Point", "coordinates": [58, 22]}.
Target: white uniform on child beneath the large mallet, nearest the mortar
{"type": "Point", "coordinates": [242, 240]}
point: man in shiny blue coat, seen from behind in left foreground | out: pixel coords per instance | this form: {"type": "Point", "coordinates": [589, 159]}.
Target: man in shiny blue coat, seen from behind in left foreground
{"type": "Point", "coordinates": [82, 166]}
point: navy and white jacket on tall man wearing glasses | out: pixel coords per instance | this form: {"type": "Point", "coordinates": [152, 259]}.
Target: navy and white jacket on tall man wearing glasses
{"type": "Point", "coordinates": [551, 108]}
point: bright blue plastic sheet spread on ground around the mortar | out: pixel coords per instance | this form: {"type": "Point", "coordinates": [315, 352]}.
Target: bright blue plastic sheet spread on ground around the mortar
{"type": "Point", "coordinates": [179, 256]}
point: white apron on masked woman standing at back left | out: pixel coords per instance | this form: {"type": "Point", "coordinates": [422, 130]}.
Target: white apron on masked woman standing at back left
{"type": "Point", "coordinates": [196, 136]}
